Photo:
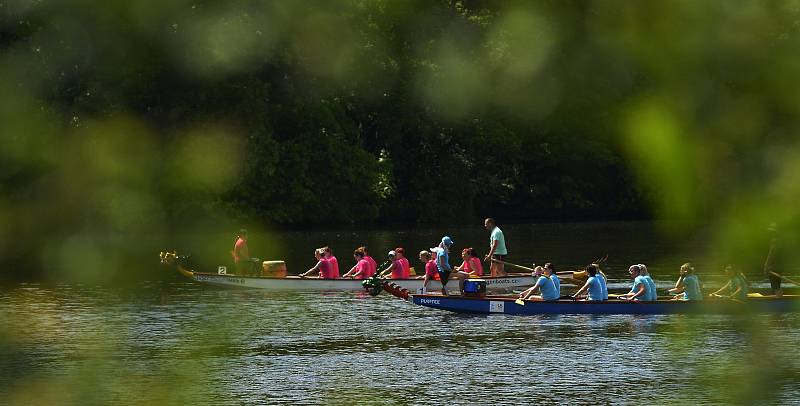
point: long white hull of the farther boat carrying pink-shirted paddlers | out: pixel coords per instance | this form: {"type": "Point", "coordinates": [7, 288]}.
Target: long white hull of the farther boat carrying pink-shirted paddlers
{"type": "Point", "coordinates": [297, 283]}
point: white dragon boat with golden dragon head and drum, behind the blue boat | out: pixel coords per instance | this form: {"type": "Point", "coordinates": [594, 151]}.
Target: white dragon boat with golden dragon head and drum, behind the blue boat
{"type": "Point", "coordinates": [273, 277]}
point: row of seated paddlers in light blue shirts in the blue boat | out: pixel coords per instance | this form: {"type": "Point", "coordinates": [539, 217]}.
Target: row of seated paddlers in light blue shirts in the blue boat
{"type": "Point", "coordinates": [644, 288]}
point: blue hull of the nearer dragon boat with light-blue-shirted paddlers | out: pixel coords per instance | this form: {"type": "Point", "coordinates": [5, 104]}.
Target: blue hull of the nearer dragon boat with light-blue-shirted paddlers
{"type": "Point", "coordinates": [507, 305]}
